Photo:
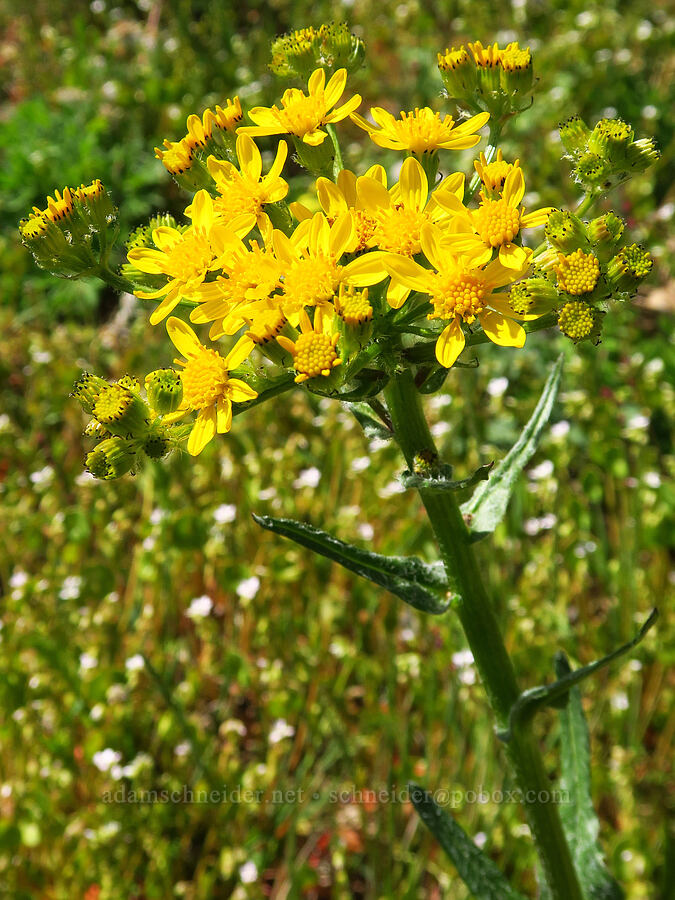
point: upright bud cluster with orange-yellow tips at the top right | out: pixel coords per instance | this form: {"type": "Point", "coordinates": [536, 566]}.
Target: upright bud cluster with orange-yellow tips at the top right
{"type": "Point", "coordinates": [491, 79]}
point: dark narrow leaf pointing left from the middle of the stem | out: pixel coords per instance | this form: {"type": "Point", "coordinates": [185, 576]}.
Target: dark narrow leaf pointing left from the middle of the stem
{"type": "Point", "coordinates": [421, 585]}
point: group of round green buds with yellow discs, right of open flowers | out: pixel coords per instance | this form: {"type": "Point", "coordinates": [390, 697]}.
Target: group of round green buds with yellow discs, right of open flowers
{"type": "Point", "coordinates": [582, 269]}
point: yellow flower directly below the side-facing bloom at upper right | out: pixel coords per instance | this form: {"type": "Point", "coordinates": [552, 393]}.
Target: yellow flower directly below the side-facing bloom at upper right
{"type": "Point", "coordinates": [400, 213]}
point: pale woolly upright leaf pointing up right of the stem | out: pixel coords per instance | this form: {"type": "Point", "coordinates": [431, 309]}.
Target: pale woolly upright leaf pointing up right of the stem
{"type": "Point", "coordinates": [485, 510]}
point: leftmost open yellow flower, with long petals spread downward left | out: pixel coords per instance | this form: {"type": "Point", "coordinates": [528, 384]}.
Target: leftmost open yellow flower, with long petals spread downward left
{"type": "Point", "coordinates": [186, 257]}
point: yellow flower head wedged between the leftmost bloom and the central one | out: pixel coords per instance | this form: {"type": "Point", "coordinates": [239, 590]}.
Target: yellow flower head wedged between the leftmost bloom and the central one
{"type": "Point", "coordinates": [249, 276]}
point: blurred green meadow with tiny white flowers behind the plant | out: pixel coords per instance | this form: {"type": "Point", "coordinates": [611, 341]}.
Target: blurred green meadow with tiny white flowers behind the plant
{"type": "Point", "coordinates": [116, 674]}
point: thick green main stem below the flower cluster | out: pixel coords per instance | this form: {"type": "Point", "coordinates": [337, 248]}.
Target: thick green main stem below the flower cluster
{"type": "Point", "coordinates": [474, 608]}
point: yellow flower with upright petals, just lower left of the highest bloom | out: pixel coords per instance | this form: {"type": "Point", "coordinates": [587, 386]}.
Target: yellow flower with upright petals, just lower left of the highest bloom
{"type": "Point", "coordinates": [246, 189]}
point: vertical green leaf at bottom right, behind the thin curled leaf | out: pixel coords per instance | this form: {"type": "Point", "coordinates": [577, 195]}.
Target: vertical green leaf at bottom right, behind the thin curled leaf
{"type": "Point", "coordinates": [579, 820]}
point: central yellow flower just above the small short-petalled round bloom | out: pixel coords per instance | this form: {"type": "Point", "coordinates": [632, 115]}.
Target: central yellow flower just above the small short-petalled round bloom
{"type": "Point", "coordinates": [310, 259]}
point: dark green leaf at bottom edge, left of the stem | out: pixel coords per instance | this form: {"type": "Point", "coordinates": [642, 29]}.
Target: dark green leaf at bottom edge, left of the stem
{"type": "Point", "coordinates": [476, 870]}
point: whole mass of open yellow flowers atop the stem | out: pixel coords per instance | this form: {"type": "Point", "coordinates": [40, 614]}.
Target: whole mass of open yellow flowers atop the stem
{"type": "Point", "coordinates": [310, 284]}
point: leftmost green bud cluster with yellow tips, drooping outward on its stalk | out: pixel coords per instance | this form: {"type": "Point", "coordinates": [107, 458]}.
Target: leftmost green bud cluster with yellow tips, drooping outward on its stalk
{"type": "Point", "coordinates": [72, 236]}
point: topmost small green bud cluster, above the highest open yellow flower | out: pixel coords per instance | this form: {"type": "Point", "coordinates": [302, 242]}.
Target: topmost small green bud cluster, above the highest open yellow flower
{"type": "Point", "coordinates": [329, 47]}
